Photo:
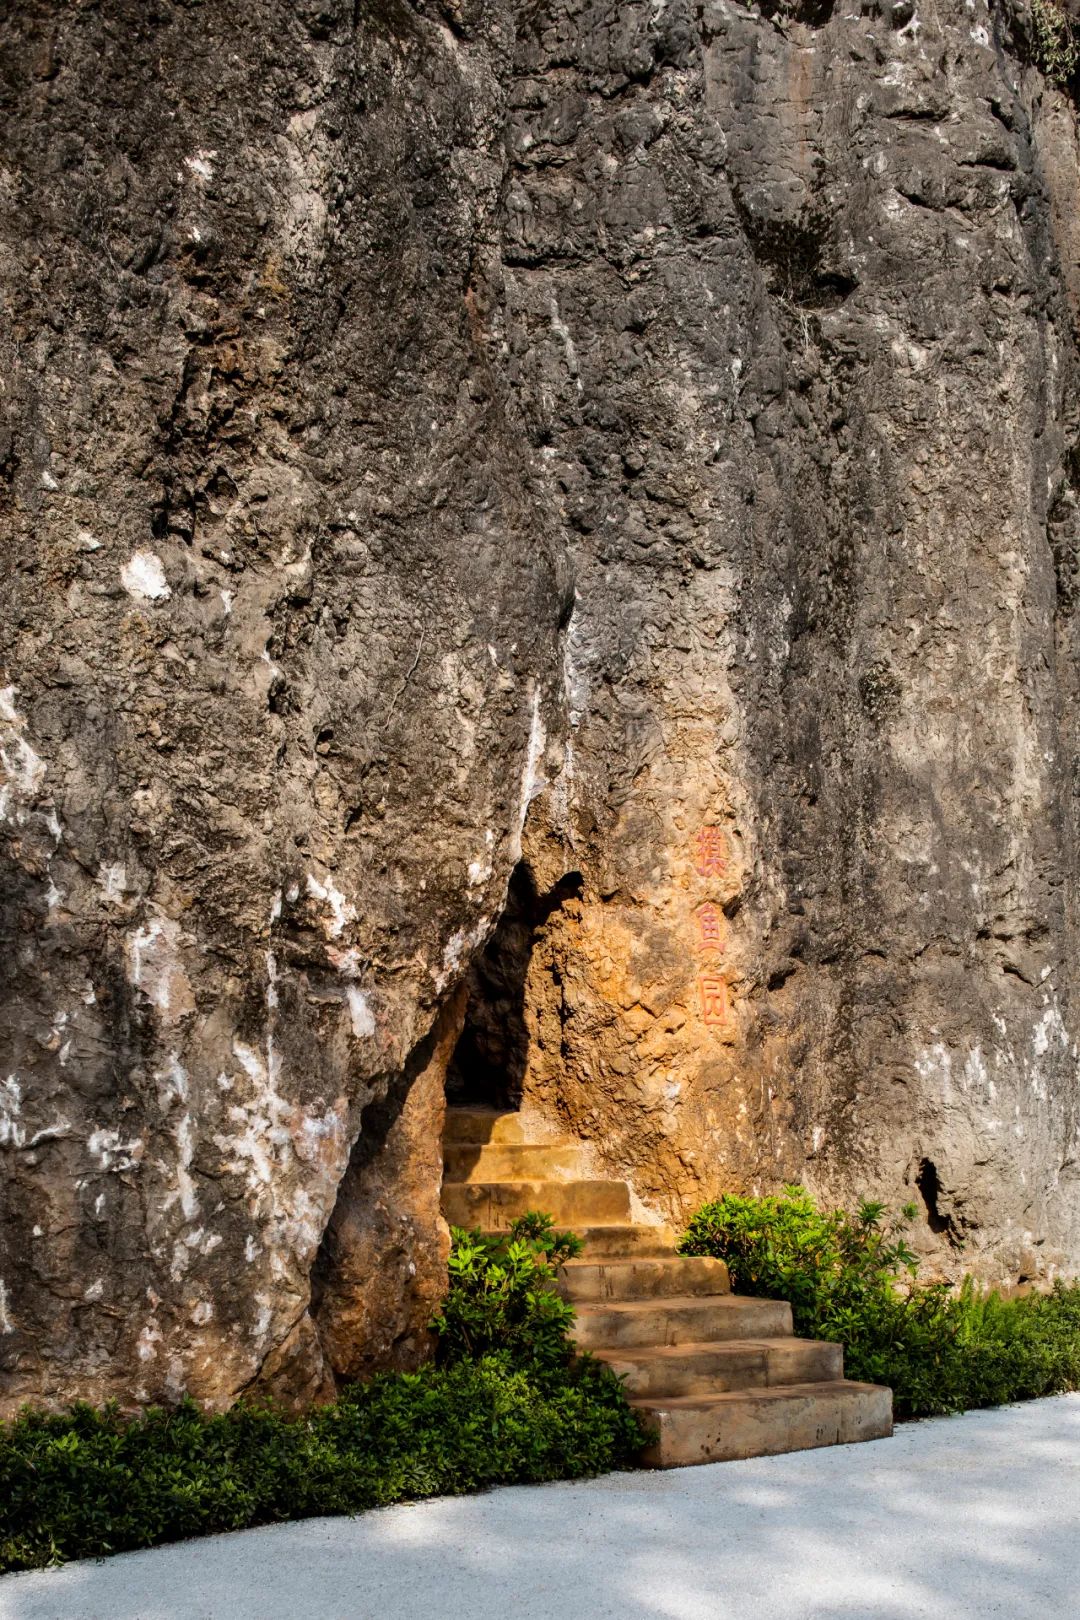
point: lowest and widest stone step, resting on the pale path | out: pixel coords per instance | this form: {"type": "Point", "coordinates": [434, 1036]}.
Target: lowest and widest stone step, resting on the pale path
{"type": "Point", "coordinates": [762, 1423]}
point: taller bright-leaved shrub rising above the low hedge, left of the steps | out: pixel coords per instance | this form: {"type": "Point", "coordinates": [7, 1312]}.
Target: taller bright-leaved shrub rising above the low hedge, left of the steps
{"type": "Point", "coordinates": [503, 1295]}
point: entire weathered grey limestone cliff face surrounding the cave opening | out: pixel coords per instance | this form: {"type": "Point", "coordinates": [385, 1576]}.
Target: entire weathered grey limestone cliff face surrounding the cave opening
{"type": "Point", "coordinates": [629, 448]}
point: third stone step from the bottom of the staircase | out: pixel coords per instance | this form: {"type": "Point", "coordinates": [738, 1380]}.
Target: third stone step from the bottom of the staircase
{"type": "Point", "coordinates": [642, 1324]}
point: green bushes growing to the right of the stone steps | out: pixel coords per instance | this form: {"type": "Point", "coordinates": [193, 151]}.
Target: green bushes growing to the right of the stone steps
{"type": "Point", "coordinates": [854, 1279]}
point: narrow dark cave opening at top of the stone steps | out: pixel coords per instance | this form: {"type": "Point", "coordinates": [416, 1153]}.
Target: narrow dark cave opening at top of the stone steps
{"type": "Point", "coordinates": [490, 1060]}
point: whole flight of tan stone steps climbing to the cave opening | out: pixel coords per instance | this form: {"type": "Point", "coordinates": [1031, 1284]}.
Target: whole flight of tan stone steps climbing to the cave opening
{"type": "Point", "coordinates": [716, 1376]}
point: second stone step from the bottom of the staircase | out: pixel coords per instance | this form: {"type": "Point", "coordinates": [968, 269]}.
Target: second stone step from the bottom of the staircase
{"type": "Point", "coordinates": [666, 1371]}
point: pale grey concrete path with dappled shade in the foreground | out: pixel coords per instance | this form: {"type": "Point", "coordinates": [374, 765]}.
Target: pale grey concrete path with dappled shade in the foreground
{"type": "Point", "coordinates": [958, 1520]}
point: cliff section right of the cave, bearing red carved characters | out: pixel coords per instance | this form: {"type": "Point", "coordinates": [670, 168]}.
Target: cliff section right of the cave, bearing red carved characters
{"type": "Point", "coordinates": [793, 309]}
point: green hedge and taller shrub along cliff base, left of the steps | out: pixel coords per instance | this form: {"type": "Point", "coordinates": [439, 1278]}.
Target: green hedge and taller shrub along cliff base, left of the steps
{"type": "Point", "coordinates": [501, 1407]}
